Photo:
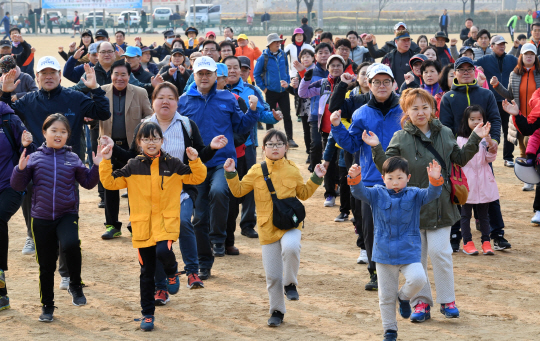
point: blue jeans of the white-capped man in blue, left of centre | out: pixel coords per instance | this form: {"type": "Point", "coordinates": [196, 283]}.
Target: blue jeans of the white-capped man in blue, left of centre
{"type": "Point", "coordinates": [211, 212]}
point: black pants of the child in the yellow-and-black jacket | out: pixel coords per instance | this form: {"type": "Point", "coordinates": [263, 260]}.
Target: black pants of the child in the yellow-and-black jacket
{"type": "Point", "coordinates": [147, 259]}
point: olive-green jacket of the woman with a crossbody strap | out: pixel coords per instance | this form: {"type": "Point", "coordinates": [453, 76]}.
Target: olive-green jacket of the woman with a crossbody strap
{"type": "Point", "coordinates": [441, 212]}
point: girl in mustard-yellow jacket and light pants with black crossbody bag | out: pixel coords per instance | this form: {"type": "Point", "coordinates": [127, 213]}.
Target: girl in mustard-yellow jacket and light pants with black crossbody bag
{"type": "Point", "coordinates": [280, 248]}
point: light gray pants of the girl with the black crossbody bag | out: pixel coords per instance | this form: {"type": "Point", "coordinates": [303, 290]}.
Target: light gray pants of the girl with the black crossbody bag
{"type": "Point", "coordinates": [281, 261]}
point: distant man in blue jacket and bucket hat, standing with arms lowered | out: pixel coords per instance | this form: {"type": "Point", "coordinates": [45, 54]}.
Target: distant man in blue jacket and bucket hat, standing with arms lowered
{"type": "Point", "coordinates": [271, 68]}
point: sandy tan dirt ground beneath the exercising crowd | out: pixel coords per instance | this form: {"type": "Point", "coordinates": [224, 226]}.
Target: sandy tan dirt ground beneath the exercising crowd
{"type": "Point", "coordinates": [497, 296]}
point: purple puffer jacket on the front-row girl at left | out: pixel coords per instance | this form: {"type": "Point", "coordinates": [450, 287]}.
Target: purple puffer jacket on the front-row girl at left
{"type": "Point", "coordinates": [55, 173]}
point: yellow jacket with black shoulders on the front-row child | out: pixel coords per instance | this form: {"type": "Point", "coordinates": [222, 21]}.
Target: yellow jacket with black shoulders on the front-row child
{"type": "Point", "coordinates": [154, 189]}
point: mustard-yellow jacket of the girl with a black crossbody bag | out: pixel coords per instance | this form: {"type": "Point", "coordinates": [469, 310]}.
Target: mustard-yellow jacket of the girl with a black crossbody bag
{"type": "Point", "coordinates": [287, 181]}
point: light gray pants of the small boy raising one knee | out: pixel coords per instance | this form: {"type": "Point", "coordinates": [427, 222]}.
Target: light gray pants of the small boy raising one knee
{"type": "Point", "coordinates": [388, 277]}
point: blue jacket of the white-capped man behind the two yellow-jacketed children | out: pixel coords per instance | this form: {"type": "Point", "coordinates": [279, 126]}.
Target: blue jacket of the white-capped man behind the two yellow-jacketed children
{"type": "Point", "coordinates": [217, 114]}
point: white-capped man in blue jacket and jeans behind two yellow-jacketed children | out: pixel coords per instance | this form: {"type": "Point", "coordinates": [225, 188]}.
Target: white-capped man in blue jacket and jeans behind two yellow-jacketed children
{"type": "Point", "coordinates": [218, 112]}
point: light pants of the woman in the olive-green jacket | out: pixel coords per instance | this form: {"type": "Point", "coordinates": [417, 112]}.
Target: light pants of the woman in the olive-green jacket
{"type": "Point", "coordinates": [436, 244]}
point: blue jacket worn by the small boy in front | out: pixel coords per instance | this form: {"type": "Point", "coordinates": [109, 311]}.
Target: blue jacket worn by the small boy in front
{"type": "Point", "coordinates": [396, 220]}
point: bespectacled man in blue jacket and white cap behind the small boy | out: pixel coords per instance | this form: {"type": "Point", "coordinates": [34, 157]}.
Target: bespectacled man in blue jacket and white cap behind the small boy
{"type": "Point", "coordinates": [381, 115]}
